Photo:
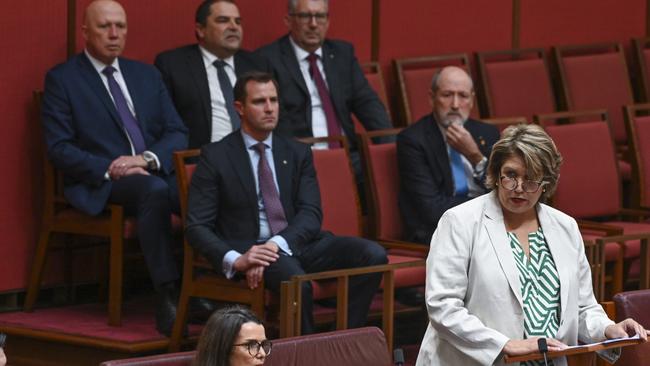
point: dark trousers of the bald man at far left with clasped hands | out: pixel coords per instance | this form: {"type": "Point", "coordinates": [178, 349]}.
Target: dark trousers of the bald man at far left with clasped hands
{"type": "Point", "coordinates": [151, 199]}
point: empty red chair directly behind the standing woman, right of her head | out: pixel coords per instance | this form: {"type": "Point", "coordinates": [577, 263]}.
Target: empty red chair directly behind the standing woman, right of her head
{"type": "Point", "coordinates": [589, 187]}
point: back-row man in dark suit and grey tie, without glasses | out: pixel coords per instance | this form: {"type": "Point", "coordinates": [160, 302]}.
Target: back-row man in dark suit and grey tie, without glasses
{"type": "Point", "coordinates": [200, 77]}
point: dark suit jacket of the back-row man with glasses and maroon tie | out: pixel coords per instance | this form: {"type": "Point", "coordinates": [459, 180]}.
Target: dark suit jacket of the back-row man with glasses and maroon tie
{"type": "Point", "coordinates": [349, 89]}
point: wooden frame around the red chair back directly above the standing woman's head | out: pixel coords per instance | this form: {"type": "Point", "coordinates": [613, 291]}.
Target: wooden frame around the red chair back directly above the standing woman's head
{"type": "Point", "coordinates": [508, 55]}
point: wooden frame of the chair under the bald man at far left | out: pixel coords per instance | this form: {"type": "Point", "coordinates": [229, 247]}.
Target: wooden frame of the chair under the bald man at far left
{"type": "Point", "coordinates": [109, 224]}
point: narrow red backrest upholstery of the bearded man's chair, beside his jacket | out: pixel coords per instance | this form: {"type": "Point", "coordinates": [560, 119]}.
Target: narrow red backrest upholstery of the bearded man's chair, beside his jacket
{"type": "Point", "coordinates": [383, 158]}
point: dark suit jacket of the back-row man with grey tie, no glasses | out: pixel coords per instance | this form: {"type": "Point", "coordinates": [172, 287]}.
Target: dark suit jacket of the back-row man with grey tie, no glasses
{"type": "Point", "coordinates": [184, 74]}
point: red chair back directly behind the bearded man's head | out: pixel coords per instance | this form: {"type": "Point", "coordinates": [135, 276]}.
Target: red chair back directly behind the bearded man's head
{"type": "Point", "coordinates": [414, 77]}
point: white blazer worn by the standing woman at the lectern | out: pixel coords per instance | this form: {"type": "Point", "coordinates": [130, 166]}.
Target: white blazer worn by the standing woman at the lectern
{"type": "Point", "coordinates": [473, 294]}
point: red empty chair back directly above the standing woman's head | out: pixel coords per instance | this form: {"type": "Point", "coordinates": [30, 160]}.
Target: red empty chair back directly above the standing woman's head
{"type": "Point", "coordinates": [516, 83]}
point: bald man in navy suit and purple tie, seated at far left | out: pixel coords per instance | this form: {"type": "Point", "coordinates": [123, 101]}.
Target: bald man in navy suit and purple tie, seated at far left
{"type": "Point", "coordinates": [111, 128]}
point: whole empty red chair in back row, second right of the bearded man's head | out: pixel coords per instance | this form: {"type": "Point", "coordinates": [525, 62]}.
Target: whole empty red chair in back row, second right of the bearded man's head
{"type": "Point", "coordinates": [595, 77]}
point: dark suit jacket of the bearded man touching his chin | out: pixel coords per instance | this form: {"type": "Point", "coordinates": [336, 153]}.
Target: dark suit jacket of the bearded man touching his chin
{"type": "Point", "coordinates": [426, 181]}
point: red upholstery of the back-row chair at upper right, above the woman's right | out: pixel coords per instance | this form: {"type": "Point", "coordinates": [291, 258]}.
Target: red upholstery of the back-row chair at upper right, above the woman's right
{"type": "Point", "coordinates": [599, 81]}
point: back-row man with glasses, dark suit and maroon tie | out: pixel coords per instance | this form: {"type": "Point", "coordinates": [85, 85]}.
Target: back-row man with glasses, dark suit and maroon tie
{"type": "Point", "coordinates": [321, 82]}
